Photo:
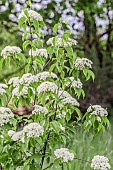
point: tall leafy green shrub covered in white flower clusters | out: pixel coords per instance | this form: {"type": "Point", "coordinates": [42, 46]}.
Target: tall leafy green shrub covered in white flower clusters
{"type": "Point", "coordinates": [51, 78]}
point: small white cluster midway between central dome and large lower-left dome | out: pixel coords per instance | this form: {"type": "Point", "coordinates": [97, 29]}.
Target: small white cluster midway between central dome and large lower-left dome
{"type": "Point", "coordinates": [39, 109]}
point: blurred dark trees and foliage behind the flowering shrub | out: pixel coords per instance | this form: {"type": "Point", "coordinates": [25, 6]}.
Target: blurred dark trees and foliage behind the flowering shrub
{"type": "Point", "coordinates": [92, 27]}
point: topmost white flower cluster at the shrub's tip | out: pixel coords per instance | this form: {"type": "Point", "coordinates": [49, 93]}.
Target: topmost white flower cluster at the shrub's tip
{"type": "Point", "coordinates": [32, 15]}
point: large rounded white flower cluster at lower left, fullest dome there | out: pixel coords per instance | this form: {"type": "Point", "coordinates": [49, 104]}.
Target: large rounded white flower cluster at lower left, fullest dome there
{"type": "Point", "coordinates": [33, 130]}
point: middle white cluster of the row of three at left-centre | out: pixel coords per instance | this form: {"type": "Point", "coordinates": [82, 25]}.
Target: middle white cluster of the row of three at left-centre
{"type": "Point", "coordinates": [27, 78]}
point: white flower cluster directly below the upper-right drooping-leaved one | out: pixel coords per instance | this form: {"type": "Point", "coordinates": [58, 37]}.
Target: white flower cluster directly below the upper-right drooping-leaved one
{"type": "Point", "coordinates": [74, 83]}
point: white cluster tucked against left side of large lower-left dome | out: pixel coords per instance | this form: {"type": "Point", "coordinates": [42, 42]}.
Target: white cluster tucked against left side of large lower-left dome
{"type": "Point", "coordinates": [18, 136]}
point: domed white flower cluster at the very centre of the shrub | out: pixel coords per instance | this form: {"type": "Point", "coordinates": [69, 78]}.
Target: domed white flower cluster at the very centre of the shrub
{"type": "Point", "coordinates": [47, 86]}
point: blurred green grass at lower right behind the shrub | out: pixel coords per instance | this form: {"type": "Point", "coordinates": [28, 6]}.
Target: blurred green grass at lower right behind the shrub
{"type": "Point", "coordinates": [86, 147]}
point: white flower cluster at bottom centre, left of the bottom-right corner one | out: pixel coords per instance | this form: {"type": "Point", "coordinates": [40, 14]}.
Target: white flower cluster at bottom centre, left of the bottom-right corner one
{"type": "Point", "coordinates": [64, 154]}
